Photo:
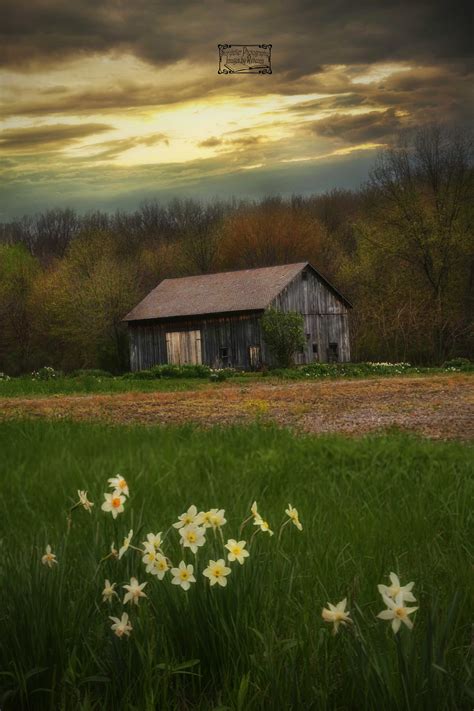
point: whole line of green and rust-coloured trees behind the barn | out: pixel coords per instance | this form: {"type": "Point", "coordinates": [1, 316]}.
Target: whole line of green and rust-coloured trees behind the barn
{"type": "Point", "coordinates": [400, 248]}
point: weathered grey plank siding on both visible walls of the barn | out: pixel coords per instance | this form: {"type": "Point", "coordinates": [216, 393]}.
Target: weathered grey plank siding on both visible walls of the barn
{"type": "Point", "coordinates": [325, 316]}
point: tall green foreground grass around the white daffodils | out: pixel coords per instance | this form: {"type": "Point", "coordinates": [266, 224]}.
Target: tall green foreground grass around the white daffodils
{"type": "Point", "coordinates": [368, 506]}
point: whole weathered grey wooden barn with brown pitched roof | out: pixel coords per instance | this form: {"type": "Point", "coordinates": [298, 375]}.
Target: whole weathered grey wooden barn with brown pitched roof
{"type": "Point", "coordinates": [215, 318]}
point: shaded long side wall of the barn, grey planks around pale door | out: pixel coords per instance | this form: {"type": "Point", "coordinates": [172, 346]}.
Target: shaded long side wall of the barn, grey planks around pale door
{"type": "Point", "coordinates": [236, 333]}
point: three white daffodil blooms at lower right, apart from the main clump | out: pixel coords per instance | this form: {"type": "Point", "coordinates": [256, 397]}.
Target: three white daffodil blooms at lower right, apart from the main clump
{"type": "Point", "coordinates": [394, 597]}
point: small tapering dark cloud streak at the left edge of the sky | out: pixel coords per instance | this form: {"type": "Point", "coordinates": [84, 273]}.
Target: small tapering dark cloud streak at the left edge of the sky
{"type": "Point", "coordinates": [52, 137]}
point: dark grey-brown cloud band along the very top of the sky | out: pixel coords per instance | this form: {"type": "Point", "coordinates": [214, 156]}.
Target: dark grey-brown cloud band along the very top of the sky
{"type": "Point", "coordinates": [305, 34]}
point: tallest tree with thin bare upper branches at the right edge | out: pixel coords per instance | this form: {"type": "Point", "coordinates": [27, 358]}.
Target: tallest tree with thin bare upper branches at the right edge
{"type": "Point", "coordinates": [422, 214]}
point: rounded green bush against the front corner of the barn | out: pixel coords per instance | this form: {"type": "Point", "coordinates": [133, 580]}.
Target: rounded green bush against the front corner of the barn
{"type": "Point", "coordinates": [283, 332]}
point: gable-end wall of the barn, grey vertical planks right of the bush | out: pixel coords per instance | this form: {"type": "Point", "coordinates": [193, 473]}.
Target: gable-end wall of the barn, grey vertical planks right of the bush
{"type": "Point", "coordinates": [325, 315]}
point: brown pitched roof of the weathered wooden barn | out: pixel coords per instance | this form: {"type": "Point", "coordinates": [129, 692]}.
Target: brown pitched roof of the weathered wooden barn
{"type": "Point", "coordinates": [245, 290]}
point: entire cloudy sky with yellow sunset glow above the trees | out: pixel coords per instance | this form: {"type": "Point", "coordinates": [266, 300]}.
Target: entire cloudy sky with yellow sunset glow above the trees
{"type": "Point", "coordinates": [107, 103]}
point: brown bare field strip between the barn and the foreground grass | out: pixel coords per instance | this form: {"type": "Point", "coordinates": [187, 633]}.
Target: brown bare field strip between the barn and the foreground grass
{"type": "Point", "coordinates": [441, 407]}
